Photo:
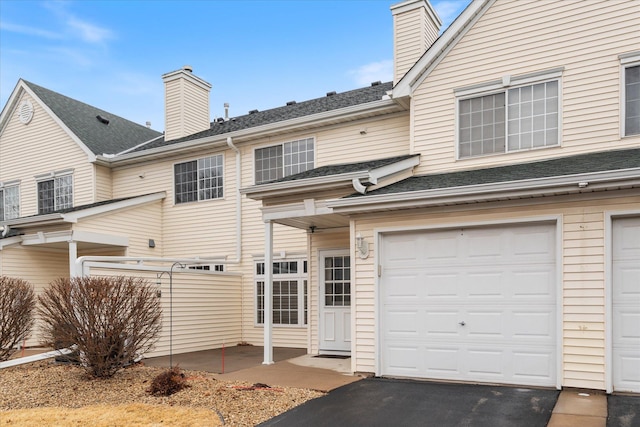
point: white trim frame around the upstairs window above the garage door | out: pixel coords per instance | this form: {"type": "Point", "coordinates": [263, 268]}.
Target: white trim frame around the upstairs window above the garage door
{"type": "Point", "coordinates": [497, 86]}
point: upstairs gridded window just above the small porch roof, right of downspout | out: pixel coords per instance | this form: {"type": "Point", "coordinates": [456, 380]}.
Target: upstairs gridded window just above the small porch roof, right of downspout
{"type": "Point", "coordinates": [282, 160]}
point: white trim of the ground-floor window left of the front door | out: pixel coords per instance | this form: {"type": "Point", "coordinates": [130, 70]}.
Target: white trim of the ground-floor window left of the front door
{"type": "Point", "coordinates": [300, 276]}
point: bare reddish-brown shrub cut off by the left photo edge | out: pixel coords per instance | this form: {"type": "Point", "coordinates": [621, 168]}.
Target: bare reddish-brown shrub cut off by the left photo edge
{"type": "Point", "coordinates": [17, 303]}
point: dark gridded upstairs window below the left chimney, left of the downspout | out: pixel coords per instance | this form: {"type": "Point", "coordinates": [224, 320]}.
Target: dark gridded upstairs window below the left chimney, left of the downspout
{"type": "Point", "coordinates": [200, 179]}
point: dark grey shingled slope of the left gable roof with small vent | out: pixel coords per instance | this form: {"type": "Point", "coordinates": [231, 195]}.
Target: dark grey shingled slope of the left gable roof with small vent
{"type": "Point", "coordinates": [118, 135]}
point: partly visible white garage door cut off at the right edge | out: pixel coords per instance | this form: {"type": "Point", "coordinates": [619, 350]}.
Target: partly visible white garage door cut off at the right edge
{"type": "Point", "coordinates": [626, 304]}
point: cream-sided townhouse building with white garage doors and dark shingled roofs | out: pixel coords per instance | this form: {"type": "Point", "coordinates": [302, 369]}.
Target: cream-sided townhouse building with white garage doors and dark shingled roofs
{"type": "Point", "coordinates": [476, 220]}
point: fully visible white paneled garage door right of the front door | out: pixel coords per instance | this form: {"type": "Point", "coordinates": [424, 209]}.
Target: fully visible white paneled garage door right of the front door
{"type": "Point", "coordinates": [470, 304]}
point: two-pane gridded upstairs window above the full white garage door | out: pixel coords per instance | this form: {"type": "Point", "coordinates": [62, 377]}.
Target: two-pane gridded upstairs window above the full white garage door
{"type": "Point", "coordinates": [515, 119]}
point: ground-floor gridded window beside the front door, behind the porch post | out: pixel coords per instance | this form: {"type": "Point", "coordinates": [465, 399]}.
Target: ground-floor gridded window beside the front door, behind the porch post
{"type": "Point", "coordinates": [289, 293]}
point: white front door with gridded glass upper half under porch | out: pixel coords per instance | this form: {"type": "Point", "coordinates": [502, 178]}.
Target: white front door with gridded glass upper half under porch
{"type": "Point", "coordinates": [335, 302]}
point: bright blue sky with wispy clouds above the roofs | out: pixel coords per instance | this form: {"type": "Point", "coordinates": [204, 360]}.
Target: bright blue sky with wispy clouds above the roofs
{"type": "Point", "coordinates": [257, 54]}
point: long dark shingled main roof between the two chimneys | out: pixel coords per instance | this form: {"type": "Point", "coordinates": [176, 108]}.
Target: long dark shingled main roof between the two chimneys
{"type": "Point", "coordinates": [332, 101]}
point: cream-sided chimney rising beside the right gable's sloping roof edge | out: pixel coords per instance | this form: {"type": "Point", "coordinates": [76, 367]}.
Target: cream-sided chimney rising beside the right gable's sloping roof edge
{"type": "Point", "coordinates": [416, 26]}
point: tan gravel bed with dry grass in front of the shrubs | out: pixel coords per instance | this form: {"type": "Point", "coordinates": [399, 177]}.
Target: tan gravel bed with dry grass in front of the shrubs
{"type": "Point", "coordinates": [47, 394]}
